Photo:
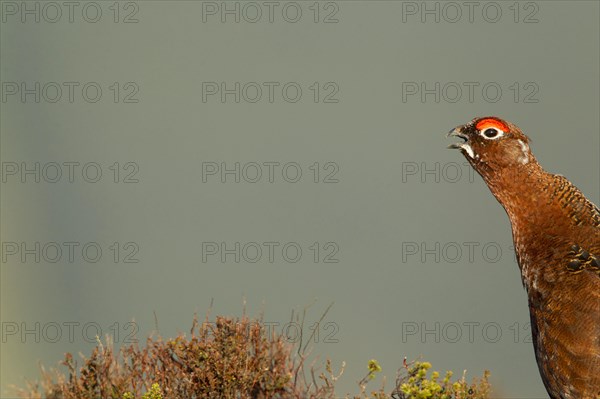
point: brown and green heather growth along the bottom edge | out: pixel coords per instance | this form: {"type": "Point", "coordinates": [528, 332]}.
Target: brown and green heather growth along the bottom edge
{"type": "Point", "coordinates": [235, 358]}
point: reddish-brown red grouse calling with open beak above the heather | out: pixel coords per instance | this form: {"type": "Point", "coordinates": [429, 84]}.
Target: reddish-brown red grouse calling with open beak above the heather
{"type": "Point", "coordinates": [556, 234]}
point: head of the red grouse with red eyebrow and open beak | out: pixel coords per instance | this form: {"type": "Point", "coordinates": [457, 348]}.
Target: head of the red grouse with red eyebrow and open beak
{"type": "Point", "coordinates": [491, 144]}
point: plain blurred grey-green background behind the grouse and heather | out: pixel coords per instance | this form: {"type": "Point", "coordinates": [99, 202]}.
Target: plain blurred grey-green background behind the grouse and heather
{"type": "Point", "coordinates": [370, 133]}
